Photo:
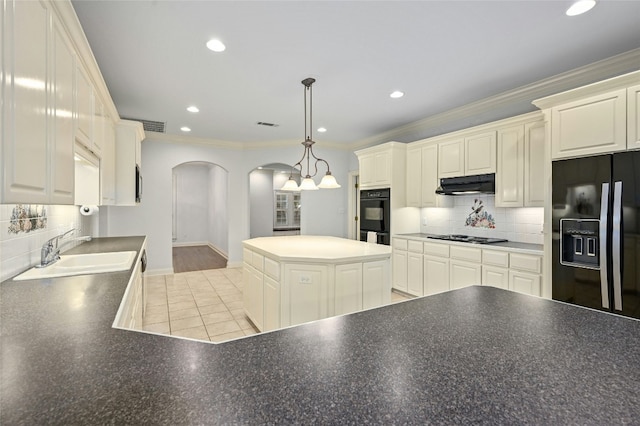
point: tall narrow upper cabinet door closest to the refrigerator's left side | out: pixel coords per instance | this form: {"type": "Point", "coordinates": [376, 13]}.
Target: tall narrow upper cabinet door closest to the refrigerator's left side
{"type": "Point", "coordinates": [534, 148]}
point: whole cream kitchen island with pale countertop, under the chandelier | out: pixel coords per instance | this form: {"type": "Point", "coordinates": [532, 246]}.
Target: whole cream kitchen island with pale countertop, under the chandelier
{"type": "Point", "coordinates": [291, 280]}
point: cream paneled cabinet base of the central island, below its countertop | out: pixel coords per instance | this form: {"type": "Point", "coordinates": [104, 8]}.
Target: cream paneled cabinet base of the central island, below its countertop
{"type": "Point", "coordinates": [281, 294]}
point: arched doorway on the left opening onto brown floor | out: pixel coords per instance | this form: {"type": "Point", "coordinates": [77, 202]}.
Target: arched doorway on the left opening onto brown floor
{"type": "Point", "coordinates": [199, 216]}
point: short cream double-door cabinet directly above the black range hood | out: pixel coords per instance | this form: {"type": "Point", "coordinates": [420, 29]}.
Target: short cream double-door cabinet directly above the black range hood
{"type": "Point", "coordinates": [470, 155]}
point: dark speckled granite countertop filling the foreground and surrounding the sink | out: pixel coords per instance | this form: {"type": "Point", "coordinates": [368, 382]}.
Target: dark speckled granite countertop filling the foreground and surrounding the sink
{"type": "Point", "coordinates": [478, 355]}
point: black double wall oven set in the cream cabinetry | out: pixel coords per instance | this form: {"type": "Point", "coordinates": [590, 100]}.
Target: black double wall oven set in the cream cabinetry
{"type": "Point", "coordinates": [375, 214]}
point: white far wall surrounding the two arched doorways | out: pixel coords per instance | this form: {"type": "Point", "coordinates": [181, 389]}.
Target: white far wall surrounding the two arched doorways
{"type": "Point", "coordinates": [324, 210]}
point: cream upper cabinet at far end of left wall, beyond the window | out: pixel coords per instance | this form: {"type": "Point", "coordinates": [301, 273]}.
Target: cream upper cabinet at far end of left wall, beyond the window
{"type": "Point", "coordinates": [129, 136]}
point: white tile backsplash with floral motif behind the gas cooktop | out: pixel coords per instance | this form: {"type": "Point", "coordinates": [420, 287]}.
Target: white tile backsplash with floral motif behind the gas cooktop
{"type": "Point", "coordinates": [477, 215]}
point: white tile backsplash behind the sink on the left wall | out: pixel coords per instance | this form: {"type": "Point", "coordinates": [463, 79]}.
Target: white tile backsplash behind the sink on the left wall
{"type": "Point", "coordinates": [20, 246]}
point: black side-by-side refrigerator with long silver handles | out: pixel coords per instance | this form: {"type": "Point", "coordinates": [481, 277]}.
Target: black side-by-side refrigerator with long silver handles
{"type": "Point", "coordinates": [596, 240]}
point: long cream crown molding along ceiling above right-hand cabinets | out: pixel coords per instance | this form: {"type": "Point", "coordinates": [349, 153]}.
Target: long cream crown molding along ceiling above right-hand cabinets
{"type": "Point", "coordinates": [606, 68]}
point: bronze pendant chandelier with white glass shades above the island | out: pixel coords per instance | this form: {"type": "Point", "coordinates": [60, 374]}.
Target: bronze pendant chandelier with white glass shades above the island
{"type": "Point", "coordinates": [308, 184]}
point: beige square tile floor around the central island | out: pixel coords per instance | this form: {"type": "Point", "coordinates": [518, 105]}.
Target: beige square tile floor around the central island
{"type": "Point", "coordinates": [204, 305]}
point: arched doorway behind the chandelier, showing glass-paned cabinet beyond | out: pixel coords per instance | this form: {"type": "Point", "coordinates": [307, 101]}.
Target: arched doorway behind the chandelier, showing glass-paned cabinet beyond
{"type": "Point", "coordinates": [271, 211]}
